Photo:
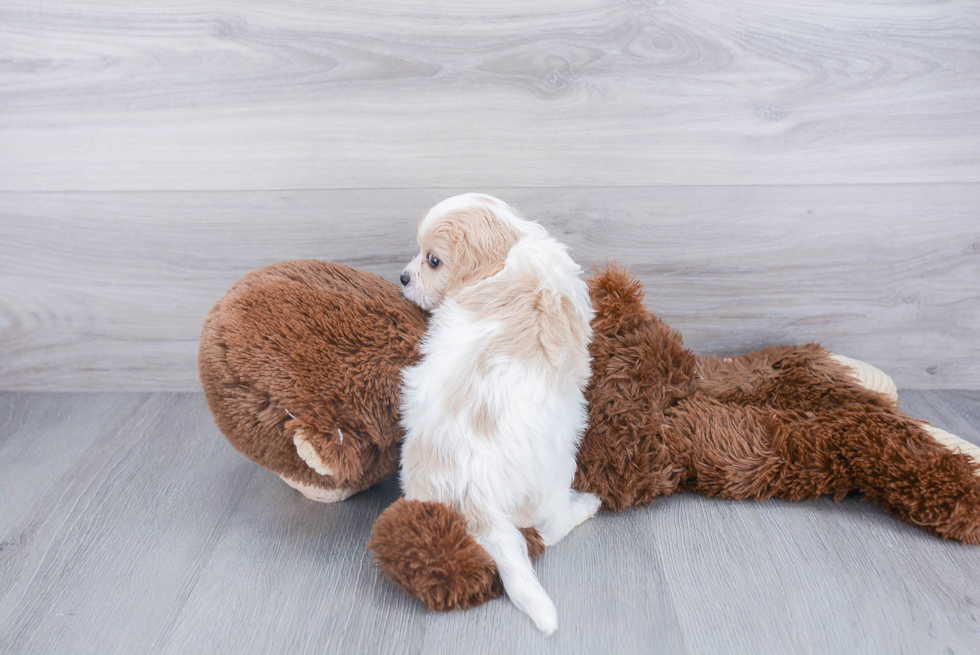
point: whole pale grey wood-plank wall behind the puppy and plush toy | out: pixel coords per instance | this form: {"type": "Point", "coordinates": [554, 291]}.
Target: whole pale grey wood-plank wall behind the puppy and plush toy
{"type": "Point", "coordinates": [774, 171]}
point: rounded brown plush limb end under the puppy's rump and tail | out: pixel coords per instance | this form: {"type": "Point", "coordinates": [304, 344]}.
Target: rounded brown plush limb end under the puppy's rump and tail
{"type": "Point", "coordinates": [425, 549]}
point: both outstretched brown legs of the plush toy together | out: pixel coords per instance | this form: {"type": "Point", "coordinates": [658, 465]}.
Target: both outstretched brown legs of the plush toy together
{"type": "Point", "coordinates": [815, 434]}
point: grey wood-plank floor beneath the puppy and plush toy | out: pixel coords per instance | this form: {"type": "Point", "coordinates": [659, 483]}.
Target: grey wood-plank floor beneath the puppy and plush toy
{"type": "Point", "coordinates": [128, 524]}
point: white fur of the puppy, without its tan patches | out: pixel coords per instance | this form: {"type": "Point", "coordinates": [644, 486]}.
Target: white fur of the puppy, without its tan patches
{"type": "Point", "coordinates": [518, 473]}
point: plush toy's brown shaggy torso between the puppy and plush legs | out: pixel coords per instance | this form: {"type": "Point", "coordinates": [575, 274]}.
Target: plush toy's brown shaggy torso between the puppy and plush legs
{"type": "Point", "coordinates": [640, 369]}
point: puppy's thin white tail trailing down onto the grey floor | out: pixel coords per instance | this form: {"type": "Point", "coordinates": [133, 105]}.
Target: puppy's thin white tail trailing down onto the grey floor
{"type": "Point", "coordinates": [508, 548]}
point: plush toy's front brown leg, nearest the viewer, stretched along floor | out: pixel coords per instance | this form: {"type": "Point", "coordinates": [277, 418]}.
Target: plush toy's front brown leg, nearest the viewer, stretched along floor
{"type": "Point", "coordinates": [743, 452]}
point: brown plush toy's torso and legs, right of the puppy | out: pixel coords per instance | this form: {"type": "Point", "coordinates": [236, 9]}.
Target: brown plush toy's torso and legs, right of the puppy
{"type": "Point", "coordinates": [786, 422]}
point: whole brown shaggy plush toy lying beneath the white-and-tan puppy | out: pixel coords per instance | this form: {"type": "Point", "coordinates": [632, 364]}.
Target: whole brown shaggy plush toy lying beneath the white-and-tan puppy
{"type": "Point", "coordinates": [300, 367]}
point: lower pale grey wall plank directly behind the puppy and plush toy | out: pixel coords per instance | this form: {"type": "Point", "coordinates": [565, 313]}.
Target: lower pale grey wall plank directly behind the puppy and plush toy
{"type": "Point", "coordinates": [108, 291]}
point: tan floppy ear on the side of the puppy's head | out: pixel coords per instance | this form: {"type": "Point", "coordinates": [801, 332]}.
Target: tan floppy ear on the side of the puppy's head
{"type": "Point", "coordinates": [478, 243]}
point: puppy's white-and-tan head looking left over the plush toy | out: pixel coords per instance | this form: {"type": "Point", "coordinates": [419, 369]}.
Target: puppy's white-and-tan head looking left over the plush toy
{"type": "Point", "coordinates": [462, 240]}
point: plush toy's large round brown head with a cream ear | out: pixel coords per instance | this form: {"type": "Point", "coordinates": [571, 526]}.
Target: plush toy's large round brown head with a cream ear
{"type": "Point", "coordinates": [300, 364]}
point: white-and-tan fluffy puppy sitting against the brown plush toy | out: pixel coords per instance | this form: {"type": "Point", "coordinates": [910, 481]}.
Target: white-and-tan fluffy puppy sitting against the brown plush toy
{"type": "Point", "coordinates": [494, 410]}
